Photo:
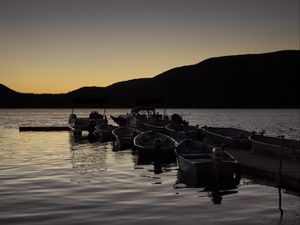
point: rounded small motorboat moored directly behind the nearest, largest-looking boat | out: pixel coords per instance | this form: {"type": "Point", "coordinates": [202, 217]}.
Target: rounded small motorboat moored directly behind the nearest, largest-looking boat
{"type": "Point", "coordinates": [150, 141]}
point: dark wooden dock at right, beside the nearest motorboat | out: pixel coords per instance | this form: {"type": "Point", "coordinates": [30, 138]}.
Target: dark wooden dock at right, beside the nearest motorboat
{"type": "Point", "coordinates": [267, 167]}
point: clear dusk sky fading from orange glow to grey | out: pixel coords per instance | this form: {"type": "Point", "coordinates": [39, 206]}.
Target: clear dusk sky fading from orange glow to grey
{"type": "Point", "coordinates": [55, 46]}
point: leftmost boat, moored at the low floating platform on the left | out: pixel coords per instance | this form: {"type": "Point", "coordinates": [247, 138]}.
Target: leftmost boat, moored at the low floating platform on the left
{"type": "Point", "coordinates": [79, 124]}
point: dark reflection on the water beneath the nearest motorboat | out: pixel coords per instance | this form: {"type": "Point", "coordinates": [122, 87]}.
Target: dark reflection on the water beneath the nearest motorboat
{"type": "Point", "coordinates": [215, 189]}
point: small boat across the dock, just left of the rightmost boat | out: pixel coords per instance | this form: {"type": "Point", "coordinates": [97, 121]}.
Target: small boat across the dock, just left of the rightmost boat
{"type": "Point", "coordinates": [229, 137]}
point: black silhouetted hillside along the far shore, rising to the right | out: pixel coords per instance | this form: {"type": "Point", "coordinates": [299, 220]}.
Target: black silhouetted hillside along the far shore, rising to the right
{"type": "Point", "coordinates": [268, 80]}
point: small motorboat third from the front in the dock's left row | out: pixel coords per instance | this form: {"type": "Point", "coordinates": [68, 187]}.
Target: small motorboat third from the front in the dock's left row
{"type": "Point", "coordinates": [124, 136]}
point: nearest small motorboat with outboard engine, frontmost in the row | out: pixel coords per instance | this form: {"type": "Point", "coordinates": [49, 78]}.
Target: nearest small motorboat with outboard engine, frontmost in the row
{"type": "Point", "coordinates": [200, 160]}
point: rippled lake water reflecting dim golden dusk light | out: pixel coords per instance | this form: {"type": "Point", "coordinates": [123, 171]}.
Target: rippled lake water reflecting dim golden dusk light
{"type": "Point", "coordinates": [48, 178]}
